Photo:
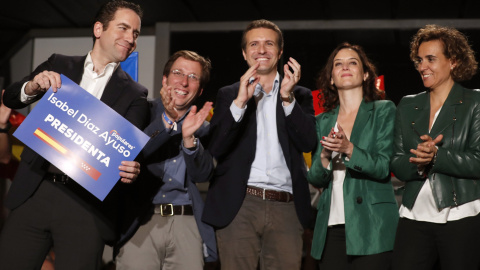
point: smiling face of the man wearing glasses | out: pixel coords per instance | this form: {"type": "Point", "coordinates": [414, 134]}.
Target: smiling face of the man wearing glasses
{"type": "Point", "coordinates": [184, 89]}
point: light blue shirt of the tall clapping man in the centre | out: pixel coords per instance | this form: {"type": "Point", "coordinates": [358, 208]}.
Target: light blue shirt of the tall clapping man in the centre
{"type": "Point", "coordinates": [269, 169]}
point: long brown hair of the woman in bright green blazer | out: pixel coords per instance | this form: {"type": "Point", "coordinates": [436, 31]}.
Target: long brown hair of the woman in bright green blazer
{"type": "Point", "coordinates": [329, 93]}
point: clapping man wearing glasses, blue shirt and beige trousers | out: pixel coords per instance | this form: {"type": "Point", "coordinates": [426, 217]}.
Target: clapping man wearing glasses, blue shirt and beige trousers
{"type": "Point", "coordinates": [169, 233]}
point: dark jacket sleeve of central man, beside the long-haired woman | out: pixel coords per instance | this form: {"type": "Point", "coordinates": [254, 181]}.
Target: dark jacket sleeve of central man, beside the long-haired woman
{"type": "Point", "coordinates": [301, 122]}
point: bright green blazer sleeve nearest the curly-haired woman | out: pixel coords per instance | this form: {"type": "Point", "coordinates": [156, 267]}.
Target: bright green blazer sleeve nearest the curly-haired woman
{"type": "Point", "coordinates": [376, 164]}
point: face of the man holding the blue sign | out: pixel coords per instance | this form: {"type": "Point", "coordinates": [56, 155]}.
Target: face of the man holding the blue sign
{"type": "Point", "coordinates": [119, 40]}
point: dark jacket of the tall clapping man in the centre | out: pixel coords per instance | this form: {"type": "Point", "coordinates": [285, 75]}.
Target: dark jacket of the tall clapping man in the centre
{"type": "Point", "coordinates": [233, 145]}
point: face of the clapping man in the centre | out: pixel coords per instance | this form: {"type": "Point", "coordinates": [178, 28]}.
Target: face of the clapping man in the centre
{"type": "Point", "coordinates": [262, 47]}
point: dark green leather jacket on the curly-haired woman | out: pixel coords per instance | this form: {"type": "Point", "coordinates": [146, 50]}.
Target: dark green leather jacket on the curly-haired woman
{"type": "Point", "coordinates": [455, 176]}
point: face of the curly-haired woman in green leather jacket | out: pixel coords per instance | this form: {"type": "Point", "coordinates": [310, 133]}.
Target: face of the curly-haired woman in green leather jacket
{"type": "Point", "coordinates": [432, 64]}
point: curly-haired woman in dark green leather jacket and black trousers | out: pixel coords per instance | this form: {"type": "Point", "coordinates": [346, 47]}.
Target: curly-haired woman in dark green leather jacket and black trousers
{"type": "Point", "coordinates": [437, 154]}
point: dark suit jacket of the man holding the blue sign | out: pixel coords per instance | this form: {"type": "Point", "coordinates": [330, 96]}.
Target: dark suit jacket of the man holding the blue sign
{"type": "Point", "coordinates": [121, 93]}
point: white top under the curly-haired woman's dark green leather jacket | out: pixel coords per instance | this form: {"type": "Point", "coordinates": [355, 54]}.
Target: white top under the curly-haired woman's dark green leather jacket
{"type": "Point", "coordinates": [425, 208]}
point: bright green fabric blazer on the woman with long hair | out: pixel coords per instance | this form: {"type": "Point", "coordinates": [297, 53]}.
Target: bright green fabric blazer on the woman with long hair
{"type": "Point", "coordinates": [371, 211]}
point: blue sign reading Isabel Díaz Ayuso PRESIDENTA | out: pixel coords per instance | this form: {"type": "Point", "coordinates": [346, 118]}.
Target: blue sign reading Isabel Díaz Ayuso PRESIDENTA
{"type": "Point", "coordinates": [81, 136]}
